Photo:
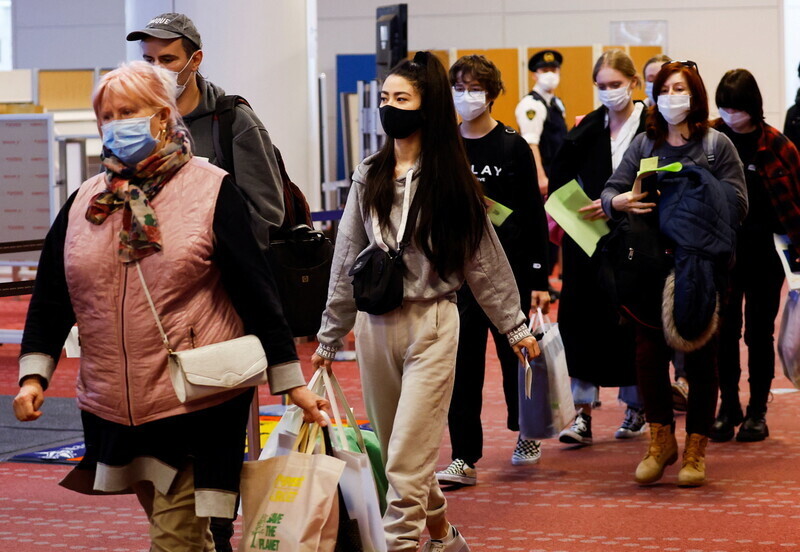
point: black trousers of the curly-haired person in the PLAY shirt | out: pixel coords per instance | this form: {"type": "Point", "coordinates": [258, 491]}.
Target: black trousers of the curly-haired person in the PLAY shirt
{"type": "Point", "coordinates": [464, 417]}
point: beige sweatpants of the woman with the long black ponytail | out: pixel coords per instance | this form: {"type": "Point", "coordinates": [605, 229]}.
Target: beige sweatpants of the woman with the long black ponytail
{"type": "Point", "coordinates": [407, 362]}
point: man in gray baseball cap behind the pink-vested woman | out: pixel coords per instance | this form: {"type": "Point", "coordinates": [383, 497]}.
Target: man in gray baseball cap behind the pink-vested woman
{"type": "Point", "coordinates": [172, 41]}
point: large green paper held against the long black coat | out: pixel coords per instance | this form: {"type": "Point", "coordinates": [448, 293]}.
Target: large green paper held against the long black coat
{"type": "Point", "coordinates": [563, 205]}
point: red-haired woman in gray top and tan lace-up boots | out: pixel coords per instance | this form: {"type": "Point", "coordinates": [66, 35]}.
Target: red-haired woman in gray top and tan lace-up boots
{"type": "Point", "coordinates": [677, 130]}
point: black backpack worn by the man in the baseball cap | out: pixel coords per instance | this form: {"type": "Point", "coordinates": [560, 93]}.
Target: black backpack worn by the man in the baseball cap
{"type": "Point", "coordinates": [300, 257]}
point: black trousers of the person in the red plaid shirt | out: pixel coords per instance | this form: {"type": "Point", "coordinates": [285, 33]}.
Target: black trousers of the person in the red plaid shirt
{"type": "Point", "coordinates": [756, 280]}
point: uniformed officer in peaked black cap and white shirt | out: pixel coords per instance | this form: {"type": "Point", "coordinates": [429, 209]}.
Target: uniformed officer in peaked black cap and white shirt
{"type": "Point", "coordinates": [540, 114]}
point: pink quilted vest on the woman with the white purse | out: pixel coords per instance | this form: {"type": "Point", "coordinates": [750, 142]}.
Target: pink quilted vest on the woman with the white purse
{"type": "Point", "coordinates": [123, 374]}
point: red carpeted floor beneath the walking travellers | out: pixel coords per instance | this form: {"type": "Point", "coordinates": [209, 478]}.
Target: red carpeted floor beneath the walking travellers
{"type": "Point", "coordinates": [575, 499]}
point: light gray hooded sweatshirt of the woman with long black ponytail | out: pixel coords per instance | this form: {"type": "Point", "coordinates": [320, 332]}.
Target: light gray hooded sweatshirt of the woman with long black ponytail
{"type": "Point", "coordinates": [488, 273]}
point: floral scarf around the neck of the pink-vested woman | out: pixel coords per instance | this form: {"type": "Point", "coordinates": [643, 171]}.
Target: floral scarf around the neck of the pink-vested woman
{"type": "Point", "coordinates": [132, 189]}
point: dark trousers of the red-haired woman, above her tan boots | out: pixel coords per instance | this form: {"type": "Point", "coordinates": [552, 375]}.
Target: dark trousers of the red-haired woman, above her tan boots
{"type": "Point", "coordinates": [652, 370]}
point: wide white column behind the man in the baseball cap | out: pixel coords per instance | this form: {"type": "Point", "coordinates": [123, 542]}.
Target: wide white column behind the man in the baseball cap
{"type": "Point", "coordinates": [265, 52]}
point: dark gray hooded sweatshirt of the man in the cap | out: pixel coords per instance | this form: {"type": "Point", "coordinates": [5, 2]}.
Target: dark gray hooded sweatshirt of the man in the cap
{"type": "Point", "coordinates": [256, 170]}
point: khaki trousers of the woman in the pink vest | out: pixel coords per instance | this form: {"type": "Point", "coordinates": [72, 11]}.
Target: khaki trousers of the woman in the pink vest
{"type": "Point", "coordinates": [174, 526]}
